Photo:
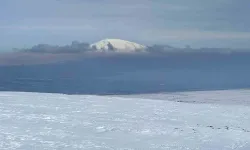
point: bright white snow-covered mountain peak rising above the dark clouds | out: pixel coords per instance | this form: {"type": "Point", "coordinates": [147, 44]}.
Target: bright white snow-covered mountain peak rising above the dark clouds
{"type": "Point", "coordinates": [117, 45]}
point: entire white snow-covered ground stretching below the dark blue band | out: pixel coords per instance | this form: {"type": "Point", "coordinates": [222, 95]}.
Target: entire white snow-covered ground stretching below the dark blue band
{"type": "Point", "coordinates": [32, 121]}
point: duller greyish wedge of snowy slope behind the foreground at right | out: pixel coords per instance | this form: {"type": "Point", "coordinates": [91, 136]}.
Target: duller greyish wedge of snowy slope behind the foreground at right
{"type": "Point", "coordinates": [225, 97]}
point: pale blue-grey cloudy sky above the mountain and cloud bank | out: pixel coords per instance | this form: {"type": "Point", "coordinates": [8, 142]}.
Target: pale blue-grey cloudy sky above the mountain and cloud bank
{"type": "Point", "coordinates": [199, 23]}
